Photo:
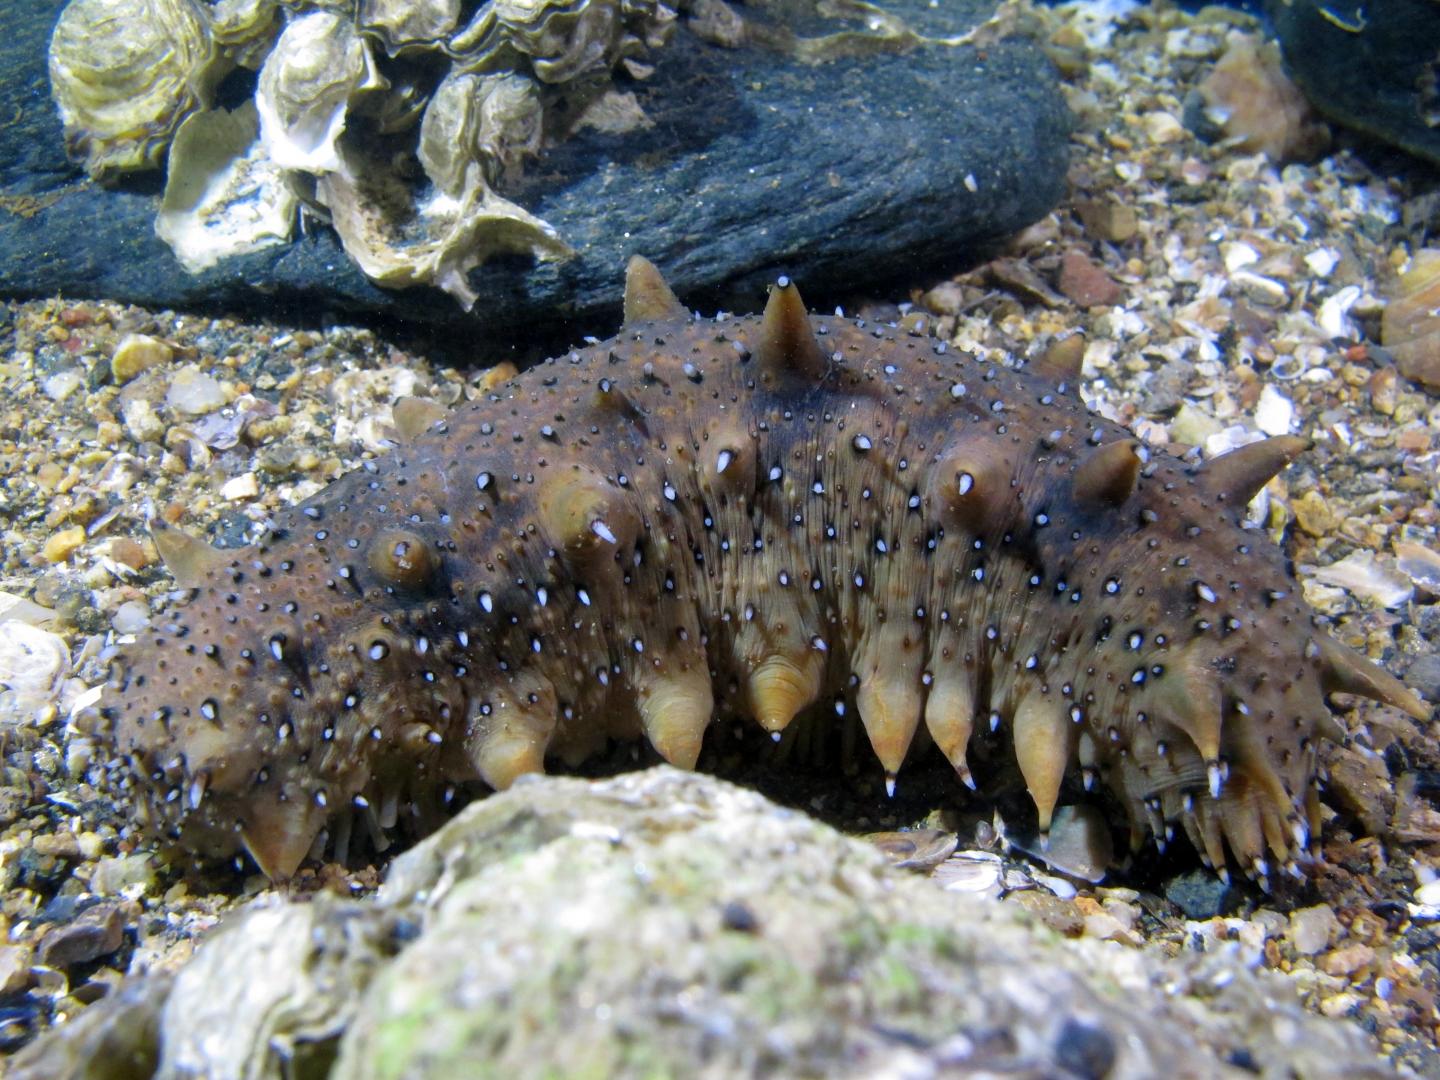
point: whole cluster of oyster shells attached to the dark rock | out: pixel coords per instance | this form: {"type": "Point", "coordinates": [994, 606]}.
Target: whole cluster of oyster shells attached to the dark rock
{"type": "Point", "coordinates": [394, 120]}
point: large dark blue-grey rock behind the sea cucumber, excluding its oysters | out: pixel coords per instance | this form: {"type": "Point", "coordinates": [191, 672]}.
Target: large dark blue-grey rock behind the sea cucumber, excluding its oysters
{"type": "Point", "coordinates": [840, 174]}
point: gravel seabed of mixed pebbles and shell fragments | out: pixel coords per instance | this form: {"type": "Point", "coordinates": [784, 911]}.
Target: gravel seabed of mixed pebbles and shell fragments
{"type": "Point", "coordinates": [1219, 296]}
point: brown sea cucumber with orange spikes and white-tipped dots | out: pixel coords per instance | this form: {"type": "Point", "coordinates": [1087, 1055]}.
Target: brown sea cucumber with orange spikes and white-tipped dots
{"type": "Point", "coordinates": [742, 516]}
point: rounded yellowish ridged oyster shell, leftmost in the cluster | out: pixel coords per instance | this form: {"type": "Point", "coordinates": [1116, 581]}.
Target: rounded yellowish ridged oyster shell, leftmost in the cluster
{"type": "Point", "coordinates": [126, 74]}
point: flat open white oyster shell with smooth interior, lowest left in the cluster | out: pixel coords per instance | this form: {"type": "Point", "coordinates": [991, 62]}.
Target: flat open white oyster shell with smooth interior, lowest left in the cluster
{"type": "Point", "coordinates": [224, 194]}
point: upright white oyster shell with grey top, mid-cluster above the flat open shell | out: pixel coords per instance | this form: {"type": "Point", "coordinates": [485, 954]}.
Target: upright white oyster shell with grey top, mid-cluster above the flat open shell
{"type": "Point", "coordinates": [306, 90]}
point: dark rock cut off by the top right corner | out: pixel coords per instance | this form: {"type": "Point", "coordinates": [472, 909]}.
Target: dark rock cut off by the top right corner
{"type": "Point", "coordinates": [1373, 68]}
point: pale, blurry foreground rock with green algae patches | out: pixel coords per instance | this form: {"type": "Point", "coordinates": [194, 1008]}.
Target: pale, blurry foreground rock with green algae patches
{"type": "Point", "coordinates": [667, 924]}
